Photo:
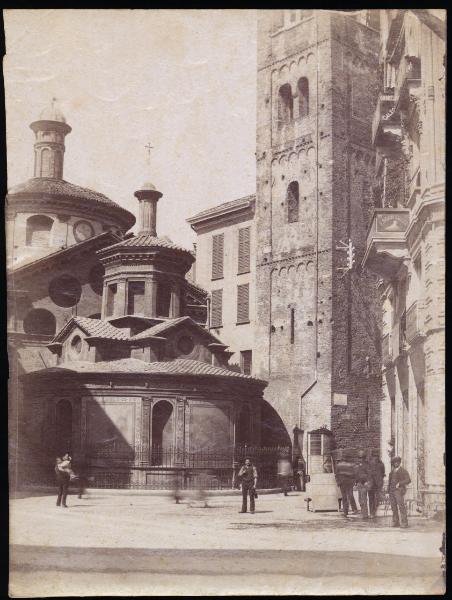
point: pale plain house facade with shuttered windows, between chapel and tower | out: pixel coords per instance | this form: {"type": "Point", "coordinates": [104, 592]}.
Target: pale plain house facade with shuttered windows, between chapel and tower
{"type": "Point", "coordinates": [225, 250]}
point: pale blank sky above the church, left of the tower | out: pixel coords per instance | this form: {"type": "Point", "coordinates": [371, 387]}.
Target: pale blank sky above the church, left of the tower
{"type": "Point", "coordinates": [183, 79]}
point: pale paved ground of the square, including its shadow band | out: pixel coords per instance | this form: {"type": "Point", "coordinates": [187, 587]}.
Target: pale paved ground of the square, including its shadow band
{"type": "Point", "coordinates": [137, 544]}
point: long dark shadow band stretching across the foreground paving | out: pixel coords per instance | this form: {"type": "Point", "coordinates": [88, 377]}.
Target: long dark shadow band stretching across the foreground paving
{"type": "Point", "coordinates": [311, 563]}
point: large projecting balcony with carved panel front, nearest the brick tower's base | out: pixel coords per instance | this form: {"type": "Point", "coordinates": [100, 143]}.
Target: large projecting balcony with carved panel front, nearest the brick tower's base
{"type": "Point", "coordinates": [386, 247]}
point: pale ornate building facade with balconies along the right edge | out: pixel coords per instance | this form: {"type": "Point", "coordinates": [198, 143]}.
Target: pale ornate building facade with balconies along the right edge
{"type": "Point", "coordinates": [405, 243]}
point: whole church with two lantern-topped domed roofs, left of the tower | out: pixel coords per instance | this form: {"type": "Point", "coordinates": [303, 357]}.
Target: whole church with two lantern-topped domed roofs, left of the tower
{"type": "Point", "coordinates": [109, 356]}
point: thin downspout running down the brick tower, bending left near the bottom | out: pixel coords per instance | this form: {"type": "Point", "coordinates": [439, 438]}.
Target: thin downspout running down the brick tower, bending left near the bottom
{"type": "Point", "coordinates": [316, 287]}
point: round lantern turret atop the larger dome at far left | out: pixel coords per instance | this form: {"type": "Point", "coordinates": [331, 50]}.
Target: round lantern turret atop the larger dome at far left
{"type": "Point", "coordinates": [50, 131]}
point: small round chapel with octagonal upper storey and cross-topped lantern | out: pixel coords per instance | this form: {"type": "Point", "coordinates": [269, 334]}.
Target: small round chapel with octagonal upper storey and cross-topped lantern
{"type": "Point", "coordinates": [144, 387]}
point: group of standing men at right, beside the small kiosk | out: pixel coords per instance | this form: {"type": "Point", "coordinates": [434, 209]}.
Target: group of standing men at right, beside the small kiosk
{"type": "Point", "coordinates": [368, 476]}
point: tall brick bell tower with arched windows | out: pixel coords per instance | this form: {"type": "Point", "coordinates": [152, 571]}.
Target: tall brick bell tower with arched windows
{"type": "Point", "coordinates": [317, 326]}
